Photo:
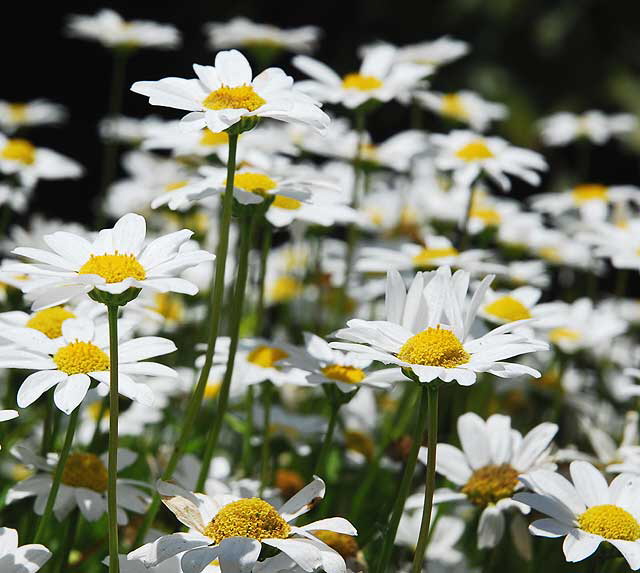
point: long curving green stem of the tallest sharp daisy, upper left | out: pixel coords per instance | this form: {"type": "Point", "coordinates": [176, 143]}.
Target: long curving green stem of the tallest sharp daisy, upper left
{"type": "Point", "coordinates": [217, 293]}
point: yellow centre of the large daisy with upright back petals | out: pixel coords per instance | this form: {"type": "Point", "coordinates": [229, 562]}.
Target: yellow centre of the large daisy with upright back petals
{"type": "Point", "coordinates": [434, 347]}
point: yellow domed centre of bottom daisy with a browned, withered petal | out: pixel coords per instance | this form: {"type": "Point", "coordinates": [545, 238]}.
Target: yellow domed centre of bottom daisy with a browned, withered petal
{"type": "Point", "coordinates": [253, 518]}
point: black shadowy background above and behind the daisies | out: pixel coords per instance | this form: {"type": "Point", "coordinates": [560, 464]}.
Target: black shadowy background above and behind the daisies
{"type": "Point", "coordinates": [537, 56]}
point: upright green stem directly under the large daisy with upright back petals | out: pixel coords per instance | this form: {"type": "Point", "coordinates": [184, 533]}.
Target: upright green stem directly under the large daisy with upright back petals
{"type": "Point", "coordinates": [432, 440]}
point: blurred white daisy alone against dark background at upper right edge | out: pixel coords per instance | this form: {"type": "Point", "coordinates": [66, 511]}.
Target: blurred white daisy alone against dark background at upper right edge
{"type": "Point", "coordinates": [563, 128]}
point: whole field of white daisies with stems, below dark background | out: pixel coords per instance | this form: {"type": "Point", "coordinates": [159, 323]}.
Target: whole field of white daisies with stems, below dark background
{"type": "Point", "coordinates": [294, 347]}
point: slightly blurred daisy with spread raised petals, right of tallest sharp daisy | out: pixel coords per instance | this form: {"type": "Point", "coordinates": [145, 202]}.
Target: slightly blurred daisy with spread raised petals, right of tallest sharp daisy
{"type": "Point", "coordinates": [379, 78]}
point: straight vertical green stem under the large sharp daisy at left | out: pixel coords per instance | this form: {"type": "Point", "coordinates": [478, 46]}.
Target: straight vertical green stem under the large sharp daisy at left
{"type": "Point", "coordinates": [112, 470]}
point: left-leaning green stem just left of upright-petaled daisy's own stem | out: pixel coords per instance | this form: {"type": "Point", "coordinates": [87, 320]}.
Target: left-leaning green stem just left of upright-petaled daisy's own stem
{"type": "Point", "coordinates": [405, 484]}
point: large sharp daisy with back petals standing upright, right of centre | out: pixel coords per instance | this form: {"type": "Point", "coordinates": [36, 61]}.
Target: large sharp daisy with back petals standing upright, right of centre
{"type": "Point", "coordinates": [415, 336]}
